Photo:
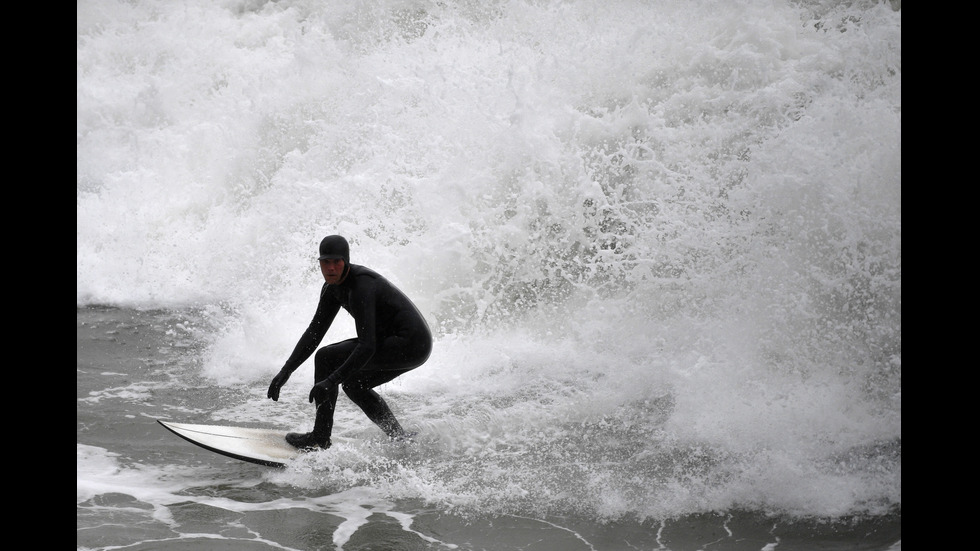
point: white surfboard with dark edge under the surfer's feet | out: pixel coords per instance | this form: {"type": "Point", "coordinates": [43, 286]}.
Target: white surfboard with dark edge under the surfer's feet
{"type": "Point", "coordinates": [262, 446]}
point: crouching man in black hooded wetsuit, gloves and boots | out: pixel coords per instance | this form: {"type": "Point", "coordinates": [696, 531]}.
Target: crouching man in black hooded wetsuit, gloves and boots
{"type": "Point", "coordinates": [392, 338]}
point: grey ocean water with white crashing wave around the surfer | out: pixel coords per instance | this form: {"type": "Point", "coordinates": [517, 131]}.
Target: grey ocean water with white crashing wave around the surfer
{"type": "Point", "coordinates": [658, 243]}
